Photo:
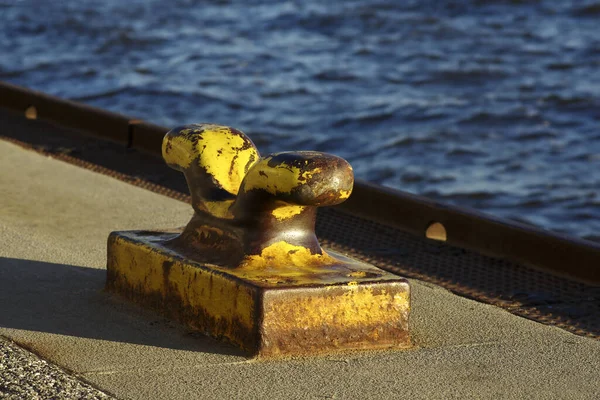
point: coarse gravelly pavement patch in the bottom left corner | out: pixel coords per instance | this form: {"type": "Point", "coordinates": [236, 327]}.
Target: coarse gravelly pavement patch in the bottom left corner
{"type": "Point", "coordinates": [23, 375]}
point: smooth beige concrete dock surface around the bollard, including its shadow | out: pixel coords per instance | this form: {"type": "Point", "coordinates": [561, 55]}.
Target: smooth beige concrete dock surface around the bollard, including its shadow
{"type": "Point", "coordinates": [54, 222]}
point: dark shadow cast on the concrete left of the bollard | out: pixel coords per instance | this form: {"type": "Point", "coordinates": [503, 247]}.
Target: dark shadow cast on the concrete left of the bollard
{"type": "Point", "coordinates": [70, 300]}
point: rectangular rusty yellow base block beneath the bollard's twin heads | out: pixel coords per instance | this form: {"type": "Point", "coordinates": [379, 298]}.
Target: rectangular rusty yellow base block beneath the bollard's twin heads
{"type": "Point", "coordinates": [347, 305]}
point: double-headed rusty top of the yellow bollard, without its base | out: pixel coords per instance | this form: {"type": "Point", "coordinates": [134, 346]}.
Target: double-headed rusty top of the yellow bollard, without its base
{"type": "Point", "coordinates": [245, 204]}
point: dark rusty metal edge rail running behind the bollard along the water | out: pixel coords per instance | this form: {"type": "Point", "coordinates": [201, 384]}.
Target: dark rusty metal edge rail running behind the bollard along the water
{"type": "Point", "coordinates": [548, 251]}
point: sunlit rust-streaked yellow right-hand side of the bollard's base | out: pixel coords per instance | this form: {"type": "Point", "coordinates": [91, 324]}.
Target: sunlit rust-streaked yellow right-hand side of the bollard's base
{"type": "Point", "coordinates": [371, 317]}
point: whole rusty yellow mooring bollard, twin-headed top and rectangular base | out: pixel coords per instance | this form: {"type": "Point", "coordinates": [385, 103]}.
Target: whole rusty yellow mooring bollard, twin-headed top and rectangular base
{"type": "Point", "coordinates": [248, 267]}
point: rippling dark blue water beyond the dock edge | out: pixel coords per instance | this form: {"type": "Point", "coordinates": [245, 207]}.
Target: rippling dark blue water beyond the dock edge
{"type": "Point", "coordinates": [487, 104]}
